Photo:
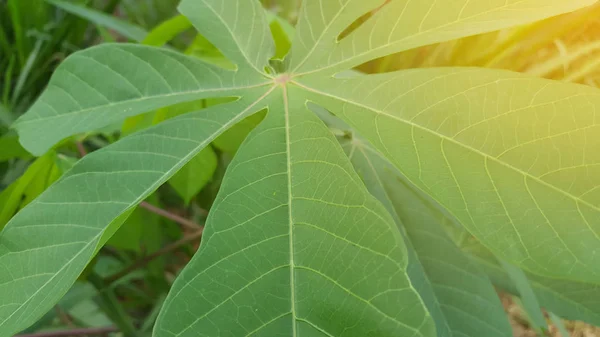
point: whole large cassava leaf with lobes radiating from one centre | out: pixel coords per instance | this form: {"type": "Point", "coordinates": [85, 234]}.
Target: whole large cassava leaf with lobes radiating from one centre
{"type": "Point", "coordinates": [295, 244]}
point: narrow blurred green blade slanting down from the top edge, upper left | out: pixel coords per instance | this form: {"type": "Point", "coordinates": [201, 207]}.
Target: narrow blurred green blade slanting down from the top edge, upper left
{"type": "Point", "coordinates": [122, 27]}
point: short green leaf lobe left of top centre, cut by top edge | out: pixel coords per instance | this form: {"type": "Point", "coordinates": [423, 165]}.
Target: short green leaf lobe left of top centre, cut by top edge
{"type": "Point", "coordinates": [238, 28]}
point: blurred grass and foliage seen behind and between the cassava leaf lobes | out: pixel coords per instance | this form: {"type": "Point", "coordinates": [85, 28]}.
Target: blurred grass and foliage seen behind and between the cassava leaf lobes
{"type": "Point", "coordinates": [123, 288]}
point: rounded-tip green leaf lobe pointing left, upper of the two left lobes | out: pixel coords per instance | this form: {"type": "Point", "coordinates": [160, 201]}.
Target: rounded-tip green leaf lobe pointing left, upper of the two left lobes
{"type": "Point", "coordinates": [106, 84]}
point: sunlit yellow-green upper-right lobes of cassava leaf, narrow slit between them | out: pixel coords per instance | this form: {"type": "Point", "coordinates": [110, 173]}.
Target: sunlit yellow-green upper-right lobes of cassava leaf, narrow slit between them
{"type": "Point", "coordinates": [402, 25]}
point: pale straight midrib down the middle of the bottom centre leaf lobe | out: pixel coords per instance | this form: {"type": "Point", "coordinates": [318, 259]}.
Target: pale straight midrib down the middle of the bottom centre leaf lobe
{"type": "Point", "coordinates": [290, 218]}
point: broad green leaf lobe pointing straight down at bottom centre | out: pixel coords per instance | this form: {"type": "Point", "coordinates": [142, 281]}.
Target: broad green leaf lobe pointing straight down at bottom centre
{"type": "Point", "coordinates": [312, 253]}
